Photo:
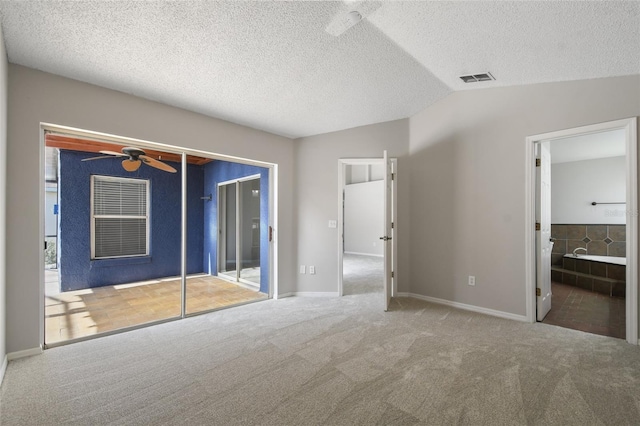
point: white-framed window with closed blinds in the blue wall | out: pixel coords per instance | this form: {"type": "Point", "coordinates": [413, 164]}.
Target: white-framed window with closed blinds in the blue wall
{"type": "Point", "coordinates": [119, 217]}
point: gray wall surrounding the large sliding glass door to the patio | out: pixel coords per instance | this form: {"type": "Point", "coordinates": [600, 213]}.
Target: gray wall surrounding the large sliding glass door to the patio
{"type": "Point", "coordinates": [36, 97]}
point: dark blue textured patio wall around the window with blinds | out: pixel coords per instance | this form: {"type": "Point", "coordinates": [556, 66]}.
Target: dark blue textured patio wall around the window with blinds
{"type": "Point", "coordinates": [78, 271]}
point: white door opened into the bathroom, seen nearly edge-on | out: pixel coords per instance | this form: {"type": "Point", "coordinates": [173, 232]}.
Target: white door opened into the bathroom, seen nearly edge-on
{"type": "Point", "coordinates": [544, 244]}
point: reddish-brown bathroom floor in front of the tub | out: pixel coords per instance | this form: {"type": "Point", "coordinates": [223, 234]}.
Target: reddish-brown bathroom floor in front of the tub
{"type": "Point", "coordinates": [584, 310]}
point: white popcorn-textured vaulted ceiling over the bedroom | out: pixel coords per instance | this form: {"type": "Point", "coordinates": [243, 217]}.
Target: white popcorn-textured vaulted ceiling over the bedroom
{"type": "Point", "coordinates": [277, 66]}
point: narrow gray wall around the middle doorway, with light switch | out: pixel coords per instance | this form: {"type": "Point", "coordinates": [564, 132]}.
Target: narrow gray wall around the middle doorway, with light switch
{"type": "Point", "coordinates": [317, 197]}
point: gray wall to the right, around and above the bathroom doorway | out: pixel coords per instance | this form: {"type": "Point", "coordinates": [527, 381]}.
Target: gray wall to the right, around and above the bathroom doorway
{"type": "Point", "coordinates": [467, 183]}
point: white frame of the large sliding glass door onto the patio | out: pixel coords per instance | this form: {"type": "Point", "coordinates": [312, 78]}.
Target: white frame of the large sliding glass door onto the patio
{"type": "Point", "coordinates": [106, 137]}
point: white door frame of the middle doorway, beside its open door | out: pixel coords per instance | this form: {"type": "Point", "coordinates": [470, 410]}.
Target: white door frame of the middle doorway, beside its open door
{"type": "Point", "coordinates": [342, 166]}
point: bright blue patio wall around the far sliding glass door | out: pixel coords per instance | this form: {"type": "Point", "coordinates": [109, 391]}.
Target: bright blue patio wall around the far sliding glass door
{"type": "Point", "coordinates": [222, 171]}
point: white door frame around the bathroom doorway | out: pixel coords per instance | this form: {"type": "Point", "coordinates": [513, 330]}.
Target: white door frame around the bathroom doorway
{"type": "Point", "coordinates": [629, 125]}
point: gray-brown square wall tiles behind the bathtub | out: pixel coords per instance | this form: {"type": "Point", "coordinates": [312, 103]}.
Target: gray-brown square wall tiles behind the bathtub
{"type": "Point", "coordinates": [601, 240]}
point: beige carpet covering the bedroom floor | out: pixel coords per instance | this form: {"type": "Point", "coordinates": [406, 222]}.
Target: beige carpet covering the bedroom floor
{"type": "Point", "coordinates": [334, 361]}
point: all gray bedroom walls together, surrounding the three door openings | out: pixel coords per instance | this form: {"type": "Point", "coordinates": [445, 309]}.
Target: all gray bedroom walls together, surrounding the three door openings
{"type": "Point", "coordinates": [461, 163]}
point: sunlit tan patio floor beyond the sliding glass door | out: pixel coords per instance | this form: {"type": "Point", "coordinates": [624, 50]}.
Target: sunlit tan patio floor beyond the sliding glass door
{"type": "Point", "coordinates": [81, 313]}
